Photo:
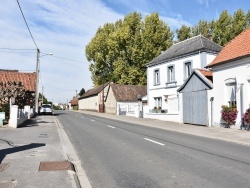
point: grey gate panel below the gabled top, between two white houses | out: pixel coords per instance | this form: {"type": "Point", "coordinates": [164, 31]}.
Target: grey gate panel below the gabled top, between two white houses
{"type": "Point", "coordinates": [195, 107]}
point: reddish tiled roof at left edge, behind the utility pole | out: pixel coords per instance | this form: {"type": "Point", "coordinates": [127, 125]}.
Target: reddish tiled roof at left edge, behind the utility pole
{"type": "Point", "coordinates": [27, 79]}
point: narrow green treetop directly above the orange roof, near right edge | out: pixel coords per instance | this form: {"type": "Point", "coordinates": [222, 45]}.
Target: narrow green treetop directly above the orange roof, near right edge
{"type": "Point", "coordinates": [238, 23]}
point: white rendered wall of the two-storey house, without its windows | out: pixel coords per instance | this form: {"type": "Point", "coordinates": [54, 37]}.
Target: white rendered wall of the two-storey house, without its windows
{"type": "Point", "coordinates": [160, 90]}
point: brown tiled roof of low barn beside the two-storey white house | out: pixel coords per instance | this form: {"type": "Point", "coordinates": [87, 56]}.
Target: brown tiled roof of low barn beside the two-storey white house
{"type": "Point", "coordinates": [128, 92]}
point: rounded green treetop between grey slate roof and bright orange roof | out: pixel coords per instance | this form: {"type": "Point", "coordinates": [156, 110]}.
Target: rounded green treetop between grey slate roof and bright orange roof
{"type": "Point", "coordinates": [223, 29]}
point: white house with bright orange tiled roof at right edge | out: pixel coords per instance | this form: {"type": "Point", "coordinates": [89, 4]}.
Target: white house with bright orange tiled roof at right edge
{"type": "Point", "coordinates": [231, 77]}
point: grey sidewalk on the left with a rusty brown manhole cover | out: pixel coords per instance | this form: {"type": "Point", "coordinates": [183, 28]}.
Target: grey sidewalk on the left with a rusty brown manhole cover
{"type": "Point", "coordinates": [22, 150]}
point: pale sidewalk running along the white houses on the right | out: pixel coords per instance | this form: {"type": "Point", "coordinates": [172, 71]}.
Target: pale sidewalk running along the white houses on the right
{"type": "Point", "coordinates": [220, 133]}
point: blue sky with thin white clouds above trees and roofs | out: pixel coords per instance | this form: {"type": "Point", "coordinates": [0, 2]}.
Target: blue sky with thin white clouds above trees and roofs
{"type": "Point", "coordinates": [65, 27]}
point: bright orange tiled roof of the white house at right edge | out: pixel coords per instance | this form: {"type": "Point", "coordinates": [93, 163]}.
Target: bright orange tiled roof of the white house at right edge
{"type": "Point", "coordinates": [237, 48]}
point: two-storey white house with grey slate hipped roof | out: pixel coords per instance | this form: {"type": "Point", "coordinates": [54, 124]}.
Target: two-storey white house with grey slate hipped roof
{"type": "Point", "coordinates": [167, 72]}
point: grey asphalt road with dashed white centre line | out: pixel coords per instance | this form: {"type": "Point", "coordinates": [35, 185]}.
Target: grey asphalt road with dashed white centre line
{"type": "Point", "coordinates": [118, 154]}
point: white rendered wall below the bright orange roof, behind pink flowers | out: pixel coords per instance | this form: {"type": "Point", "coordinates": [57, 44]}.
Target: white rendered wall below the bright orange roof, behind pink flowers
{"type": "Point", "coordinates": [241, 71]}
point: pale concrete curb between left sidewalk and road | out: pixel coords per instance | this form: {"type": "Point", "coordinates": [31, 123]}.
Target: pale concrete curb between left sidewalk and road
{"type": "Point", "coordinates": [79, 178]}
